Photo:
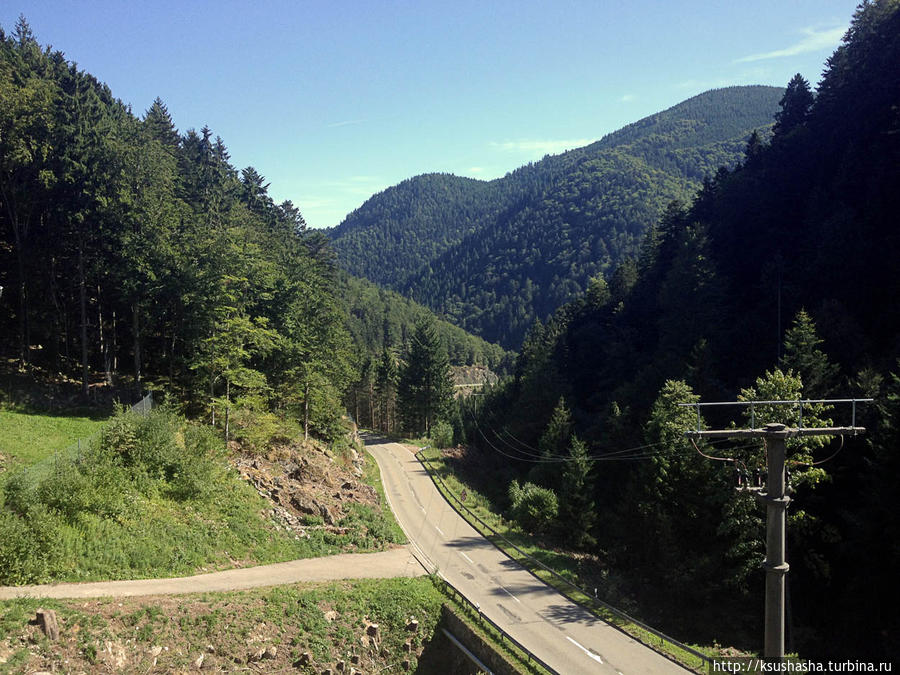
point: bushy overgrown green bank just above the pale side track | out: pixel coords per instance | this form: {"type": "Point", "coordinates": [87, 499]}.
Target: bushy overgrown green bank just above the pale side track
{"type": "Point", "coordinates": [155, 497]}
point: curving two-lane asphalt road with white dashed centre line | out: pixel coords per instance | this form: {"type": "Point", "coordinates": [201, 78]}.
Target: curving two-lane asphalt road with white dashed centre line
{"type": "Point", "coordinates": [558, 631]}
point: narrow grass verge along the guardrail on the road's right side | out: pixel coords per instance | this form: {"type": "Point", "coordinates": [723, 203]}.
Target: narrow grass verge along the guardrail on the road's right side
{"type": "Point", "coordinates": [563, 564]}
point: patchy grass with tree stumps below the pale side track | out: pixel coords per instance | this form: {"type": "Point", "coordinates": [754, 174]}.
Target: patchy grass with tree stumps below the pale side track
{"type": "Point", "coordinates": [227, 626]}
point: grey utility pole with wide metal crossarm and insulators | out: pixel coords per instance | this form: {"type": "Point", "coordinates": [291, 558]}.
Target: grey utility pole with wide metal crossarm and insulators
{"type": "Point", "coordinates": [776, 499]}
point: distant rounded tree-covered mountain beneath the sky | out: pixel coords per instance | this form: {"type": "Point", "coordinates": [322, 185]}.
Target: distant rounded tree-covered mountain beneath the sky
{"type": "Point", "coordinates": [493, 256]}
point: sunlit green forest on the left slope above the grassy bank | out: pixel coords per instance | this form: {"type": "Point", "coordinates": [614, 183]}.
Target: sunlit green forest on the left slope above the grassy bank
{"type": "Point", "coordinates": [133, 256]}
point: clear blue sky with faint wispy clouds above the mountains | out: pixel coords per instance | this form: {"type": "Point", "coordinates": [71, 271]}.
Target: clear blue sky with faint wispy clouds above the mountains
{"type": "Point", "coordinates": [334, 101]}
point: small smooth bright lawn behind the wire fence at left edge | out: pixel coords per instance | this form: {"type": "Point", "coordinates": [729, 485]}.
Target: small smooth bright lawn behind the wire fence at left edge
{"type": "Point", "coordinates": [29, 438]}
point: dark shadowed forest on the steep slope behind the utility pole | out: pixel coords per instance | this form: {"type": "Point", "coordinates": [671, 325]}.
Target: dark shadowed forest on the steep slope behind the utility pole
{"type": "Point", "coordinates": [778, 281]}
